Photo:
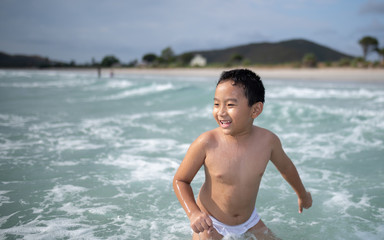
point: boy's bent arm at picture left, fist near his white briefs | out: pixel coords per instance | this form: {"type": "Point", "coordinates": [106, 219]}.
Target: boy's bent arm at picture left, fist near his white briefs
{"type": "Point", "coordinates": [191, 164]}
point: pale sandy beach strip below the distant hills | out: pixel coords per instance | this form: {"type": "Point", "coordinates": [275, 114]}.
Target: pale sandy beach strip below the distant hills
{"type": "Point", "coordinates": [316, 74]}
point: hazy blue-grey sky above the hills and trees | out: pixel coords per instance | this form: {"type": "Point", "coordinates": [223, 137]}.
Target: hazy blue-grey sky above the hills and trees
{"type": "Point", "coordinates": [82, 30]}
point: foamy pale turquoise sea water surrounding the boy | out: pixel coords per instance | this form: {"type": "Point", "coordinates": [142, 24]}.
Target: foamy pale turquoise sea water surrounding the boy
{"type": "Point", "coordinates": [83, 157]}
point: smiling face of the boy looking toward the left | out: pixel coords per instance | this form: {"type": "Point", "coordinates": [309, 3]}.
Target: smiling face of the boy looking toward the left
{"type": "Point", "coordinates": [231, 110]}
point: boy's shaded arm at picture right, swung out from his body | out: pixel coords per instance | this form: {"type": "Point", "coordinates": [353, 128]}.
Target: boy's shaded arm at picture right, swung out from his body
{"type": "Point", "coordinates": [288, 170]}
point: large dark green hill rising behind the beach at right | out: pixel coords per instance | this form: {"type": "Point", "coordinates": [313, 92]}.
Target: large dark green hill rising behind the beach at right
{"type": "Point", "coordinates": [273, 53]}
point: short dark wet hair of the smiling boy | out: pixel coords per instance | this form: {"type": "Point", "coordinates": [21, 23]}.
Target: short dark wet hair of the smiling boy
{"type": "Point", "coordinates": [254, 89]}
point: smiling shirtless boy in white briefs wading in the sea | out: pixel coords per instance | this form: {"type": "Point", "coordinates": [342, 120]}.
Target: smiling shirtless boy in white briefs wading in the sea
{"type": "Point", "coordinates": [234, 156]}
